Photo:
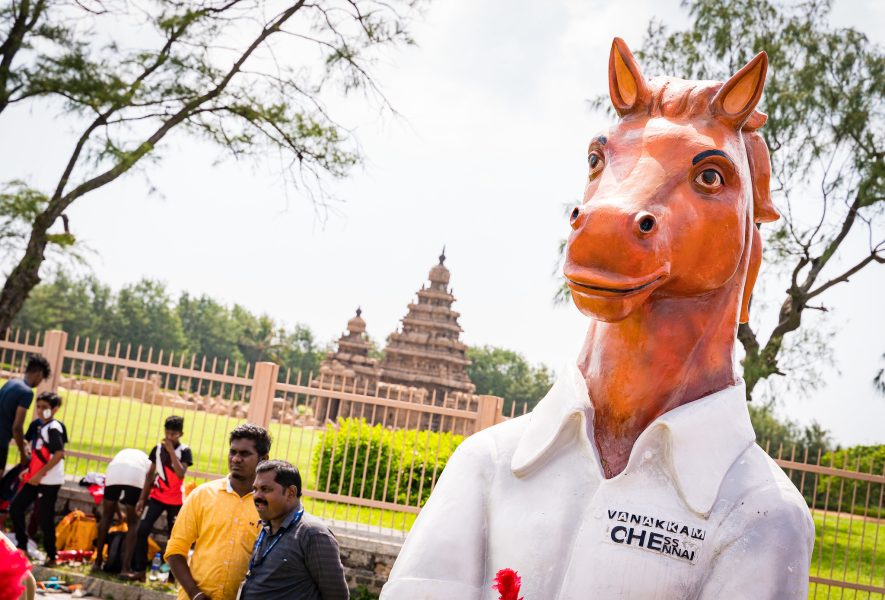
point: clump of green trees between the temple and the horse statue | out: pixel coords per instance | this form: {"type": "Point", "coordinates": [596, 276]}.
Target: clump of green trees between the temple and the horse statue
{"type": "Point", "coordinates": [505, 373]}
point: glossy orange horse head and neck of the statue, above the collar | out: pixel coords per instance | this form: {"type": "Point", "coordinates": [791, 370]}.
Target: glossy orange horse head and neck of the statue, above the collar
{"type": "Point", "coordinates": [664, 249]}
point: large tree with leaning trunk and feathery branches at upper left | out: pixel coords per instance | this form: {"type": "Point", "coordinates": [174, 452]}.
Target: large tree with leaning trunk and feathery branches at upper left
{"type": "Point", "coordinates": [219, 69]}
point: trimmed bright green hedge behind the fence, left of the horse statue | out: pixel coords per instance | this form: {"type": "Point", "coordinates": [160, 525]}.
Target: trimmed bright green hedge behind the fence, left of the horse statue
{"type": "Point", "coordinates": [346, 446]}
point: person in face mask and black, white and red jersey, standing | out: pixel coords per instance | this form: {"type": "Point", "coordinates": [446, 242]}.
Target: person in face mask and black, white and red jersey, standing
{"type": "Point", "coordinates": [45, 474]}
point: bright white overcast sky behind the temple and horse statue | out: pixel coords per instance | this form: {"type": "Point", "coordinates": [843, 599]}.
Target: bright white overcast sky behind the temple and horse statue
{"type": "Point", "coordinates": [490, 145]}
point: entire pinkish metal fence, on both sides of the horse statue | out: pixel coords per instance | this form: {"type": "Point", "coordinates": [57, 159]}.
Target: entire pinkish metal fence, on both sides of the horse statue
{"type": "Point", "coordinates": [371, 459]}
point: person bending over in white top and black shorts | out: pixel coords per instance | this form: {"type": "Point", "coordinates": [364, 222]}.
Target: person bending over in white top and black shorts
{"type": "Point", "coordinates": [124, 479]}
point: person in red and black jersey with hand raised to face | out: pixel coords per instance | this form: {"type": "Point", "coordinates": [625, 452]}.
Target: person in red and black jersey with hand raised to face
{"type": "Point", "coordinates": [163, 490]}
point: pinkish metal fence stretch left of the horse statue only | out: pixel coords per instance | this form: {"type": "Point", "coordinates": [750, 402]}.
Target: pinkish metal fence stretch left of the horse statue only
{"type": "Point", "coordinates": [117, 396]}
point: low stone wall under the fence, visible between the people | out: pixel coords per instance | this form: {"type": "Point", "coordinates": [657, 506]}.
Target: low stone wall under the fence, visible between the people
{"type": "Point", "coordinates": [367, 557]}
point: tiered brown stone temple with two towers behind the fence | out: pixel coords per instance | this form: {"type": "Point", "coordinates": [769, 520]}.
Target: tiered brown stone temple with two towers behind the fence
{"type": "Point", "coordinates": [424, 361]}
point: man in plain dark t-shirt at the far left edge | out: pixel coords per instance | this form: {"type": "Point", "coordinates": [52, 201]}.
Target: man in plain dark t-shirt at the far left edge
{"type": "Point", "coordinates": [15, 400]}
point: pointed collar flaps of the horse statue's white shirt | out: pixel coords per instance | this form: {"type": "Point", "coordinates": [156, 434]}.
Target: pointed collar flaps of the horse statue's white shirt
{"type": "Point", "coordinates": [703, 438]}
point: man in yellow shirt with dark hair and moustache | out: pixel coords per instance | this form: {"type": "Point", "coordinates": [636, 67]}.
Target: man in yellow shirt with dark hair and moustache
{"type": "Point", "coordinates": [220, 521]}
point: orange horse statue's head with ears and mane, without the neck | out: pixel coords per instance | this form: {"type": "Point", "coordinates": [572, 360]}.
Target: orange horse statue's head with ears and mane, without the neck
{"type": "Point", "coordinates": [673, 193]}
